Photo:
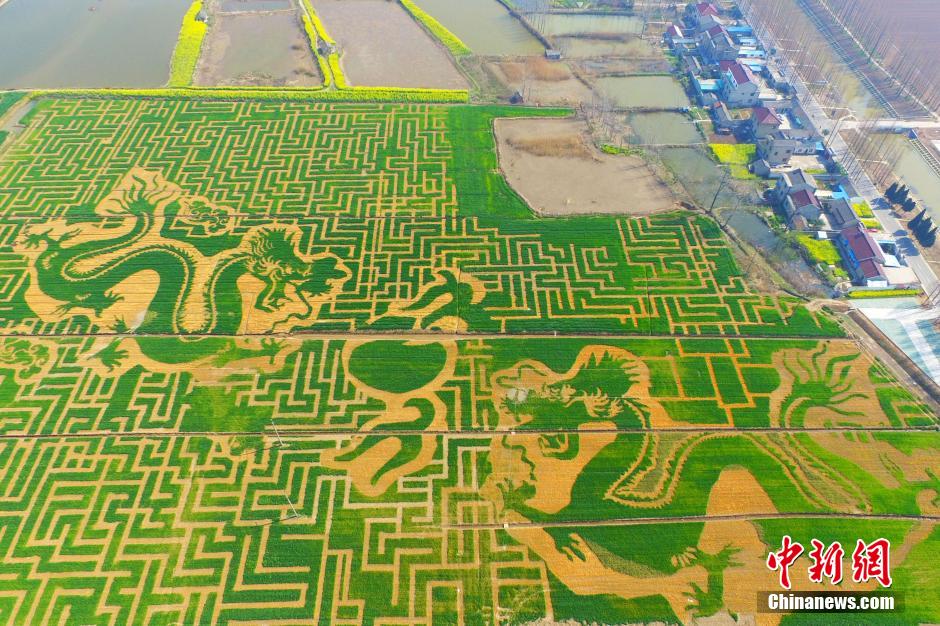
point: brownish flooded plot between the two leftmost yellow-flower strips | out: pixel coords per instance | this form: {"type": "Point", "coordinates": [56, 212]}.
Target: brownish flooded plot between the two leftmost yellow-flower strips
{"type": "Point", "coordinates": [257, 49]}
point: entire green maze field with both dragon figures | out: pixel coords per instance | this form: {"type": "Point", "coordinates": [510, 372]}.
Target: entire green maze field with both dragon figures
{"type": "Point", "coordinates": [264, 363]}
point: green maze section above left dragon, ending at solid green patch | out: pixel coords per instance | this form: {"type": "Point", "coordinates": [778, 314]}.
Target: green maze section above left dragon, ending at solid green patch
{"type": "Point", "coordinates": [266, 160]}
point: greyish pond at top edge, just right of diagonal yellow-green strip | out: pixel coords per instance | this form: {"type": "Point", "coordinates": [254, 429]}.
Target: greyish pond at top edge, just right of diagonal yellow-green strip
{"type": "Point", "coordinates": [485, 26]}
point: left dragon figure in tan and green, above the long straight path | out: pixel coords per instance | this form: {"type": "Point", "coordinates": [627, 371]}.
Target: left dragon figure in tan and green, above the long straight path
{"type": "Point", "coordinates": [155, 260]}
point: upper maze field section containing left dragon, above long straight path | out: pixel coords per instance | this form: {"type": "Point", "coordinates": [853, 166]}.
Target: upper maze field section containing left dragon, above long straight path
{"type": "Point", "coordinates": [175, 215]}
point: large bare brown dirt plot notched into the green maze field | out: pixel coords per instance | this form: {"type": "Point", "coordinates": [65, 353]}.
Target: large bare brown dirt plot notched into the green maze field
{"type": "Point", "coordinates": [572, 184]}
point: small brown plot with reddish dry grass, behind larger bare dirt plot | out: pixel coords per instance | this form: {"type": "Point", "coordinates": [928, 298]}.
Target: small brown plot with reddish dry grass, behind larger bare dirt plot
{"type": "Point", "coordinates": [542, 82]}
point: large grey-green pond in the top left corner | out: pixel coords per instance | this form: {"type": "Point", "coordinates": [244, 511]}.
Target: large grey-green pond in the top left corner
{"type": "Point", "coordinates": [88, 43]}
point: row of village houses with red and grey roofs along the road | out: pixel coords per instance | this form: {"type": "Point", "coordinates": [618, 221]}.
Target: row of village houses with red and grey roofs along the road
{"type": "Point", "coordinates": [749, 97]}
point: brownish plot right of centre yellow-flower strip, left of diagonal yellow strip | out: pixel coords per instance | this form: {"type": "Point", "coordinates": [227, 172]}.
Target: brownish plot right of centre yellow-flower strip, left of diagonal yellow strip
{"type": "Point", "coordinates": [381, 45]}
